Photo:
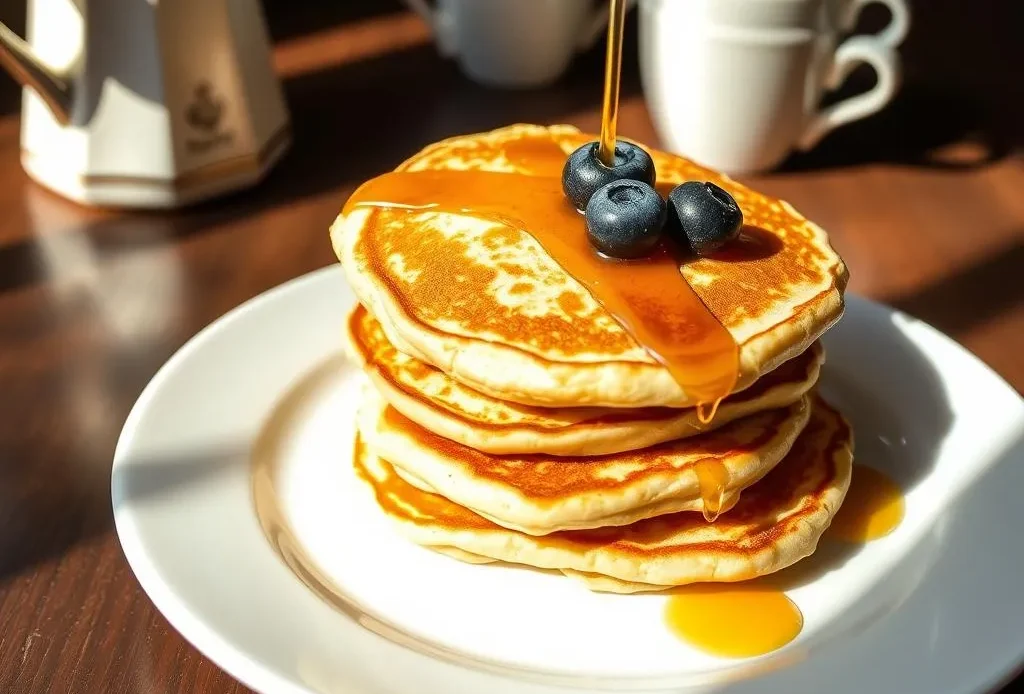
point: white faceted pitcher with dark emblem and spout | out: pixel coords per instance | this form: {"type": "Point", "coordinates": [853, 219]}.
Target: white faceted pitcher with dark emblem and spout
{"type": "Point", "coordinates": [147, 104]}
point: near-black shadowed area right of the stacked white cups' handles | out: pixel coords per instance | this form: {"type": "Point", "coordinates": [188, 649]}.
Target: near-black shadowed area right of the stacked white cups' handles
{"type": "Point", "coordinates": [948, 97]}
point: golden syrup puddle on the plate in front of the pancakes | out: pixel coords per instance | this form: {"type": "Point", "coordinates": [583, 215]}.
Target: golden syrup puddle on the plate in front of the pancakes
{"type": "Point", "coordinates": [734, 621]}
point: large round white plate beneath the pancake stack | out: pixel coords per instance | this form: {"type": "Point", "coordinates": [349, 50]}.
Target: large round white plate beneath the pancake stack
{"type": "Point", "coordinates": [934, 608]}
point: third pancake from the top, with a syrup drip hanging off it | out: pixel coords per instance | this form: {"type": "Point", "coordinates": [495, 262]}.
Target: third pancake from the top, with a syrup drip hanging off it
{"type": "Point", "coordinates": [539, 495]}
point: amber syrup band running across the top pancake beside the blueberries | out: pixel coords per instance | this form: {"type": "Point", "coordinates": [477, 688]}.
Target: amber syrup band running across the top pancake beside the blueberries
{"type": "Point", "coordinates": [649, 297]}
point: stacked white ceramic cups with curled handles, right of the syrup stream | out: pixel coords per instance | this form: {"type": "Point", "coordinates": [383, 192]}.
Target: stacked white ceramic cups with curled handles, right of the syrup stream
{"type": "Point", "coordinates": [737, 84]}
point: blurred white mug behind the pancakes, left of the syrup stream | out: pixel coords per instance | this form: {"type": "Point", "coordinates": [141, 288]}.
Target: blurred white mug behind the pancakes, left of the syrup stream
{"type": "Point", "coordinates": [515, 44]}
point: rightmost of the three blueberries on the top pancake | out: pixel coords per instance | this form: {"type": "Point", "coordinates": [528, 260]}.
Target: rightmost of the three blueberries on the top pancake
{"type": "Point", "coordinates": [704, 216]}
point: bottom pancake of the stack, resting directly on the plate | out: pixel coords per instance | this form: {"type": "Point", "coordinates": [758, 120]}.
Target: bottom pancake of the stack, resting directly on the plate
{"type": "Point", "coordinates": [775, 525]}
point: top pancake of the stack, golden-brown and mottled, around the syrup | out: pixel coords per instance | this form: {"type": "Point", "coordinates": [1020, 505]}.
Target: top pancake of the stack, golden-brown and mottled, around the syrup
{"type": "Point", "coordinates": [484, 301]}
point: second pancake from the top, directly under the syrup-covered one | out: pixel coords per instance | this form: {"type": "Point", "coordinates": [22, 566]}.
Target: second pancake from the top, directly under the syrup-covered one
{"type": "Point", "coordinates": [446, 407]}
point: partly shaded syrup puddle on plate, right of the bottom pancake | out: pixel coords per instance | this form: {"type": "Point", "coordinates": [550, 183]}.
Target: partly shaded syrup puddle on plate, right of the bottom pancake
{"type": "Point", "coordinates": [873, 508]}
